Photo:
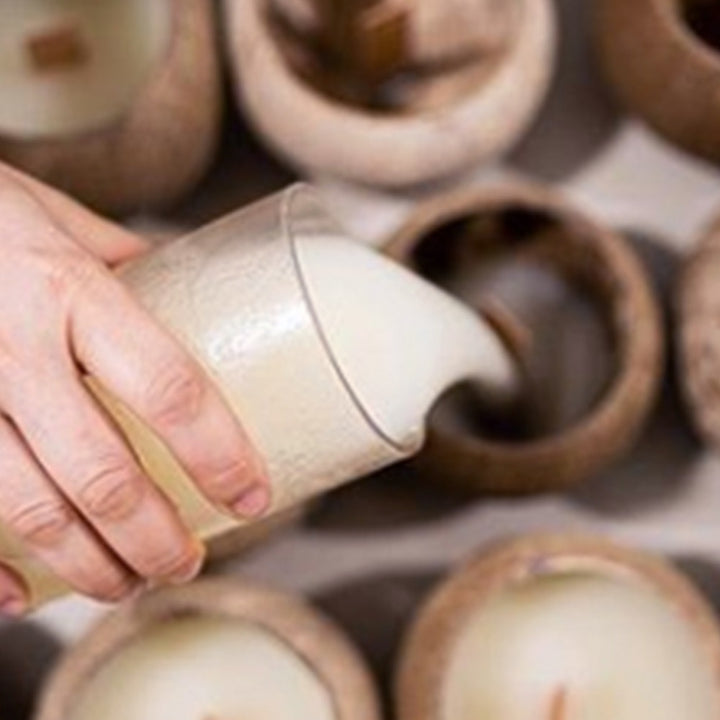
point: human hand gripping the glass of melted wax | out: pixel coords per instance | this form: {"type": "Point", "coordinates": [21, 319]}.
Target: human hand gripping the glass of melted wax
{"type": "Point", "coordinates": [70, 488]}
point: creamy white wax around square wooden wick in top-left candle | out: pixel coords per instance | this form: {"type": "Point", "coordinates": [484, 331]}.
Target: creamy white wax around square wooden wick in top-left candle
{"type": "Point", "coordinates": [125, 40]}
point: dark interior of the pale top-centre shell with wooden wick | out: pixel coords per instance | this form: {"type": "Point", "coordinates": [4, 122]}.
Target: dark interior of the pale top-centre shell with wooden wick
{"type": "Point", "coordinates": [361, 54]}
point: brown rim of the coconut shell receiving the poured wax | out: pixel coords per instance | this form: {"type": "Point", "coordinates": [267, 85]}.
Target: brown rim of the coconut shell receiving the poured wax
{"type": "Point", "coordinates": [639, 300]}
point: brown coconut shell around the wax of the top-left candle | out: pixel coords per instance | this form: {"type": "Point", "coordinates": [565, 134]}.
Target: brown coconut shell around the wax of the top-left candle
{"type": "Point", "coordinates": [155, 150]}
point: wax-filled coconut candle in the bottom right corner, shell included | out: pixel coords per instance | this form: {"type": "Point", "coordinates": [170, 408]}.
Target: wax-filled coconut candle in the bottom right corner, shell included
{"type": "Point", "coordinates": [563, 629]}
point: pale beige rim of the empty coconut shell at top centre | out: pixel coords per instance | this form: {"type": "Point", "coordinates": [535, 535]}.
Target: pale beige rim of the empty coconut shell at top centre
{"type": "Point", "coordinates": [376, 130]}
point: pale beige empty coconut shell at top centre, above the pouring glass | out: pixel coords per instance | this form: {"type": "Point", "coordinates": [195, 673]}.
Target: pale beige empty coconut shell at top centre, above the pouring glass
{"type": "Point", "coordinates": [325, 121]}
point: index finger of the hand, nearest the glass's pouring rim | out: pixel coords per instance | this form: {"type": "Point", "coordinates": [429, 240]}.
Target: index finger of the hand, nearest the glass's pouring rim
{"type": "Point", "coordinates": [146, 368]}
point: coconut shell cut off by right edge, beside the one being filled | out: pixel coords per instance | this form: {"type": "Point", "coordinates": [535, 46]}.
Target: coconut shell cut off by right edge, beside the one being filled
{"type": "Point", "coordinates": [699, 318]}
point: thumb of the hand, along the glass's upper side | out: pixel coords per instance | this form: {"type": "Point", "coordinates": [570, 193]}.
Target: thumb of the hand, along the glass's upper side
{"type": "Point", "coordinates": [104, 239]}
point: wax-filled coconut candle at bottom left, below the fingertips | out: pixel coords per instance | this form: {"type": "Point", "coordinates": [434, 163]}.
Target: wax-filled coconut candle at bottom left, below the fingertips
{"type": "Point", "coordinates": [213, 651]}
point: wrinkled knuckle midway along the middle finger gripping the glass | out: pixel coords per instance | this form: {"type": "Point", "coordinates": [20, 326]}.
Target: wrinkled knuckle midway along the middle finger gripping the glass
{"type": "Point", "coordinates": [112, 492]}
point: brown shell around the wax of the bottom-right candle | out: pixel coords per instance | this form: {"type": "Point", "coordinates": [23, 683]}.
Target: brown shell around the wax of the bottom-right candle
{"type": "Point", "coordinates": [422, 678]}
